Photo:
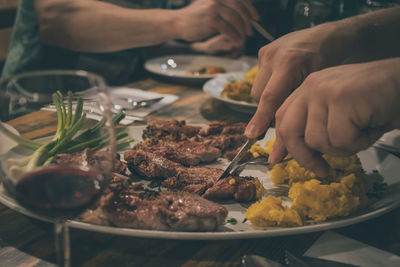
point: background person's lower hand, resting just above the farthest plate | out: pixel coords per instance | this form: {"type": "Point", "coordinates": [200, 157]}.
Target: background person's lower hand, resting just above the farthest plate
{"type": "Point", "coordinates": [219, 44]}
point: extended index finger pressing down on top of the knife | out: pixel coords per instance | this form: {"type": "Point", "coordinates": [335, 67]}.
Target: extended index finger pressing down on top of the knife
{"type": "Point", "coordinates": [278, 88]}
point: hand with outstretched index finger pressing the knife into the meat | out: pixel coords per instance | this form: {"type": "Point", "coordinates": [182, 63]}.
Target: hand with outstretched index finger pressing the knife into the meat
{"type": "Point", "coordinates": [286, 62]}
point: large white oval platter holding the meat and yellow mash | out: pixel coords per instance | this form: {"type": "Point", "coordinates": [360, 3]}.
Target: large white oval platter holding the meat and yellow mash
{"type": "Point", "coordinates": [371, 159]}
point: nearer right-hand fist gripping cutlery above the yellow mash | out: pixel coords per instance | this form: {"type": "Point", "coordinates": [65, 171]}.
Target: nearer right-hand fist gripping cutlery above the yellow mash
{"type": "Point", "coordinates": [338, 111]}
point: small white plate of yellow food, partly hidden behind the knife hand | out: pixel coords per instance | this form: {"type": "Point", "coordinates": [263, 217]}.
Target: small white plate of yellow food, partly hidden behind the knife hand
{"type": "Point", "coordinates": [215, 86]}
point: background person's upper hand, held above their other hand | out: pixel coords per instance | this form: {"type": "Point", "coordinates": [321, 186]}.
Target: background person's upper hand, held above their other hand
{"type": "Point", "coordinates": [203, 18]}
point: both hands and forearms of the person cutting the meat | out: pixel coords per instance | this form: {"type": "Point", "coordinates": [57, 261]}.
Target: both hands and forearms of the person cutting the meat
{"type": "Point", "coordinates": [345, 79]}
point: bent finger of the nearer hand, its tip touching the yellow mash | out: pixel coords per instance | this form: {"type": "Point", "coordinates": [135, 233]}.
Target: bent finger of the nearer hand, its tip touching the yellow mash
{"type": "Point", "coordinates": [291, 129]}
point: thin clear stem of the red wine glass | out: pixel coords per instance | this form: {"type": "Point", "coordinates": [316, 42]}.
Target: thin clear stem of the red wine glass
{"type": "Point", "coordinates": [62, 243]}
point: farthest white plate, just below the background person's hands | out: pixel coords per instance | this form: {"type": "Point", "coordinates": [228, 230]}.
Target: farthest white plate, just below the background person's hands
{"type": "Point", "coordinates": [180, 66]}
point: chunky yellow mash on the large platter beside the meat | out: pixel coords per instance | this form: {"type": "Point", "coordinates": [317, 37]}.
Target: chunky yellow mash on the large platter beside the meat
{"type": "Point", "coordinates": [312, 198]}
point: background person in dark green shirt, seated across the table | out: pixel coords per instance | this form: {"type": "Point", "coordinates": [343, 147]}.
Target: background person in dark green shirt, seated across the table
{"type": "Point", "coordinates": [107, 37]}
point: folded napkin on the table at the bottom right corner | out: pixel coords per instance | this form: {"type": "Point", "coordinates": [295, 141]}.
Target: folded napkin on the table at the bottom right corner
{"type": "Point", "coordinates": [335, 247]}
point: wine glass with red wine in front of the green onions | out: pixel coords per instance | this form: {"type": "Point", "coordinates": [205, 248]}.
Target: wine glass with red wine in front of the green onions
{"type": "Point", "coordinates": [64, 160]}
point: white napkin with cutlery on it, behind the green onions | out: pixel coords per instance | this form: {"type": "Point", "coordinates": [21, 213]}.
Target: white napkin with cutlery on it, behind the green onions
{"type": "Point", "coordinates": [126, 92]}
